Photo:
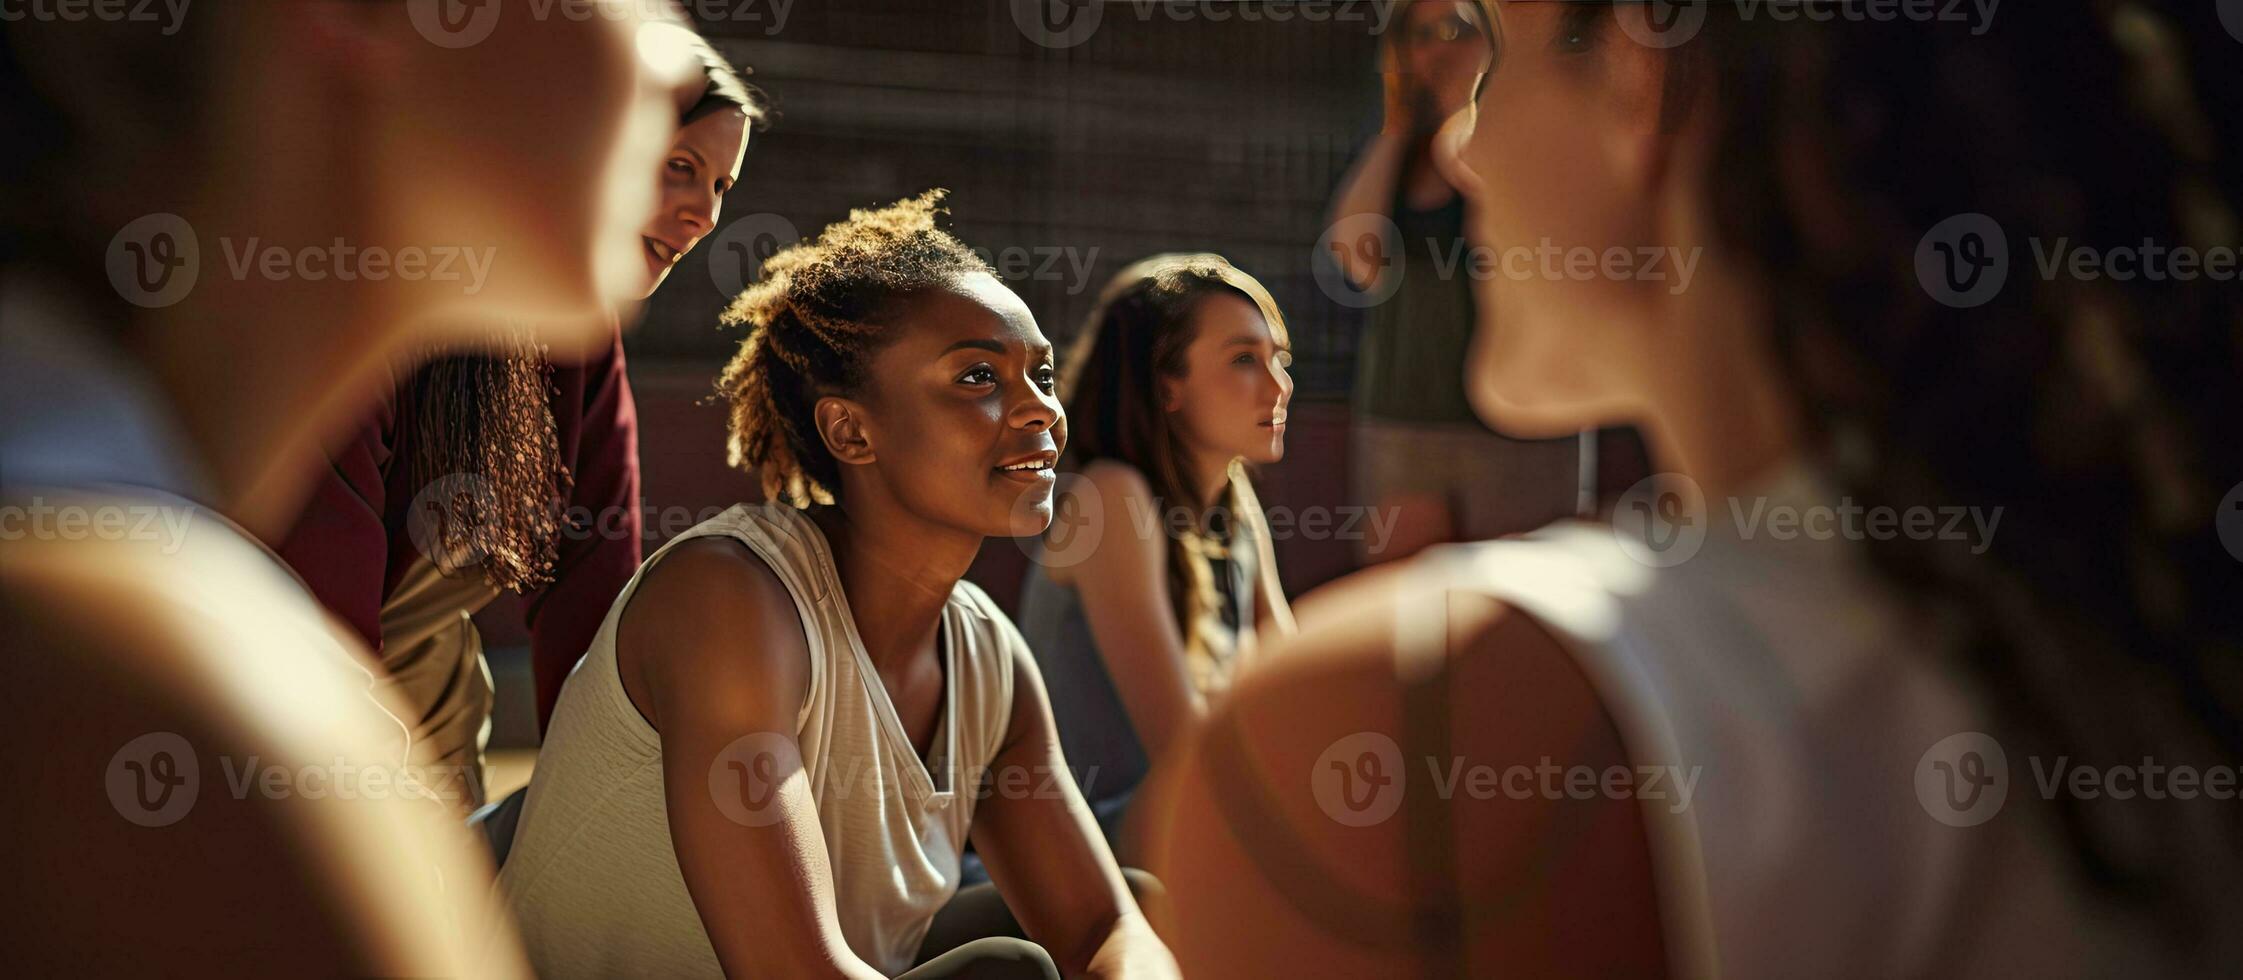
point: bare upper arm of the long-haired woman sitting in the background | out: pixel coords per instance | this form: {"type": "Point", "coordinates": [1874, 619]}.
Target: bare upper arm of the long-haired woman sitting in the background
{"type": "Point", "coordinates": [1125, 586]}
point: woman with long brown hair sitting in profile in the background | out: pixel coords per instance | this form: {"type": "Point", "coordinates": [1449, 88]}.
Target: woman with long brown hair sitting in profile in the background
{"type": "Point", "coordinates": [1159, 575]}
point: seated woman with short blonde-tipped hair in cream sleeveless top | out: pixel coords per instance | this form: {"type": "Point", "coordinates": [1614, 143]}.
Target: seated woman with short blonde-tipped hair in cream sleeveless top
{"type": "Point", "coordinates": [800, 712]}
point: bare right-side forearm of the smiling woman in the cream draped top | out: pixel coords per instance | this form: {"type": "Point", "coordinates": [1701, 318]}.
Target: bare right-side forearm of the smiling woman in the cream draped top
{"type": "Point", "coordinates": [1049, 858]}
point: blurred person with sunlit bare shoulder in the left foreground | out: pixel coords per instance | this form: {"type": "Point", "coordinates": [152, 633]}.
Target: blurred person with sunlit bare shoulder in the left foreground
{"type": "Point", "coordinates": [210, 782]}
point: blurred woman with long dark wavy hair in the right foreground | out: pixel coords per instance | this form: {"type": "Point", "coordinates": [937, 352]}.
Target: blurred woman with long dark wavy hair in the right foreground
{"type": "Point", "coordinates": [1793, 755]}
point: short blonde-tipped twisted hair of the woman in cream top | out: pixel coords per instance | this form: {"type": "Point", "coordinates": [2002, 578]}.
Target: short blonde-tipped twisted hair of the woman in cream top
{"type": "Point", "coordinates": [813, 322]}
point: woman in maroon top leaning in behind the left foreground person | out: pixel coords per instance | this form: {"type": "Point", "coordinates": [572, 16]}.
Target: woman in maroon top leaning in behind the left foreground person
{"type": "Point", "coordinates": [501, 472]}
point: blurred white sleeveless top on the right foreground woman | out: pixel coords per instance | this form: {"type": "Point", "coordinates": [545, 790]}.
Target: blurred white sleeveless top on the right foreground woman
{"type": "Point", "coordinates": [1782, 676]}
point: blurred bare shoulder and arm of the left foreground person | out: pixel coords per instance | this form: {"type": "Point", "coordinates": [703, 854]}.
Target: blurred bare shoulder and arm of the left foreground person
{"type": "Point", "coordinates": [116, 669]}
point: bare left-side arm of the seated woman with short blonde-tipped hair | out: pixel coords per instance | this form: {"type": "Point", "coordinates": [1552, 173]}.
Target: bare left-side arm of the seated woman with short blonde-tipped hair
{"type": "Point", "coordinates": [717, 658]}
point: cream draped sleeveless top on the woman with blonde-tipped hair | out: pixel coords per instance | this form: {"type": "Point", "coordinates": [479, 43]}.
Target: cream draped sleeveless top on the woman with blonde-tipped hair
{"type": "Point", "coordinates": [593, 873]}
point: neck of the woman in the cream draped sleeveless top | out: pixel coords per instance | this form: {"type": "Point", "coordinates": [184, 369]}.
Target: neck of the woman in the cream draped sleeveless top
{"type": "Point", "coordinates": [896, 571]}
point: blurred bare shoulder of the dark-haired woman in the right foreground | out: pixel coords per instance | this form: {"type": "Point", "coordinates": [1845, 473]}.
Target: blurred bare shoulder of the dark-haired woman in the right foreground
{"type": "Point", "coordinates": [1313, 755]}
